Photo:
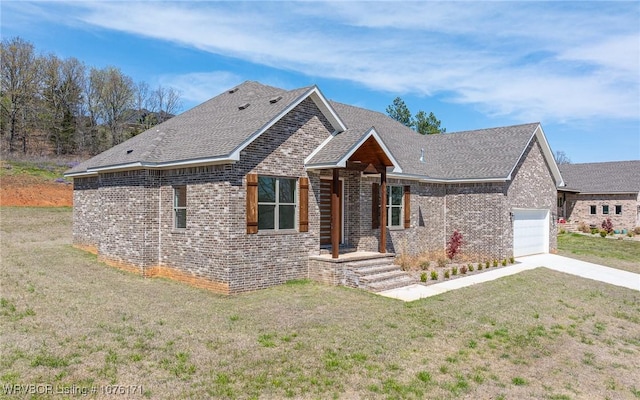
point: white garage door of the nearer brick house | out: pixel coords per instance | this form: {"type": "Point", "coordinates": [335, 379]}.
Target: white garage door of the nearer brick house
{"type": "Point", "coordinates": [530, 232]}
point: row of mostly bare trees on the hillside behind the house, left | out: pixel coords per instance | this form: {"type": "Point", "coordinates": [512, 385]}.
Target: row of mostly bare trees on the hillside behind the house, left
{"type": "Point", "coordinates": [71, 107]}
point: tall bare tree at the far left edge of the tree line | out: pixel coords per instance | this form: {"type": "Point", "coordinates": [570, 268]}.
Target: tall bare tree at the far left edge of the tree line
{"type": "Point", "coordinates": [18, 89]}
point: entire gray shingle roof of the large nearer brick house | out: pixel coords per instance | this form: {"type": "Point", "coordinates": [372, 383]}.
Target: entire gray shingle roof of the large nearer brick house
{"type": "Point", "coordinates": [218, 127]}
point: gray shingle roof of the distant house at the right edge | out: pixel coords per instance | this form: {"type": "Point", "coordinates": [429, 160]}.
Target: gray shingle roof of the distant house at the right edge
{"type": "Point", "coordinates": [603, 177]}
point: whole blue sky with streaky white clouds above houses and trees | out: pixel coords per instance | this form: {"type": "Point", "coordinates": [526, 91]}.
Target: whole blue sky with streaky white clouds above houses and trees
{"type": "Point", "coordinates": [573, 66]}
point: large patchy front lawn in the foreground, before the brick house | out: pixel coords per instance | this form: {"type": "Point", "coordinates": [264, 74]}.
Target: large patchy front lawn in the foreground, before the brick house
{"type": "Point", "coordinates": [525, 336]}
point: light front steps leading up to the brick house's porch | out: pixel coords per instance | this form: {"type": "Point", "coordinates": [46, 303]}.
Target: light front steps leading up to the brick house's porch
{"type": "Point", "coordinates": [376, 274]}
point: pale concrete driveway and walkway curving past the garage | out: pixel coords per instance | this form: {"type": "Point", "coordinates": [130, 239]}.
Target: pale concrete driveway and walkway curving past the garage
{"type": "Point", "coordinates": [557, 263]}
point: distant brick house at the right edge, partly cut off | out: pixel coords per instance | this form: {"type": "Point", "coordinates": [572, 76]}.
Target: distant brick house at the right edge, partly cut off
{"type": "Point", "coordinates": [597, 191]}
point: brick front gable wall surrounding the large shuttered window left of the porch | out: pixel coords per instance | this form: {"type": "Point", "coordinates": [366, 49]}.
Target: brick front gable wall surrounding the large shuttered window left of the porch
{"type": "Point", "coordinates": [256, 261]}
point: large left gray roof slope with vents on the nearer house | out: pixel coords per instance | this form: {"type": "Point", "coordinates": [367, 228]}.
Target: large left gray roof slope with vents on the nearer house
{"type": "Point", "coordinates": [215, 128]}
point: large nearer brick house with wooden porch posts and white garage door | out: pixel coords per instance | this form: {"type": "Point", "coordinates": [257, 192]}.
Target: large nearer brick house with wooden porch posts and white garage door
{"type": "Point", "coordinates": [250, 188]}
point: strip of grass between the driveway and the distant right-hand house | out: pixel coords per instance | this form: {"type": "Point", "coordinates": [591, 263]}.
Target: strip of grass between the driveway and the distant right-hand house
{"type": "Point", "coordinates": [622, 254]}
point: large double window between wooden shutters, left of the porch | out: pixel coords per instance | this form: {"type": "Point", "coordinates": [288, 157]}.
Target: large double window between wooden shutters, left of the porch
{"type": "Point", "coordinates": [276, 203]}
